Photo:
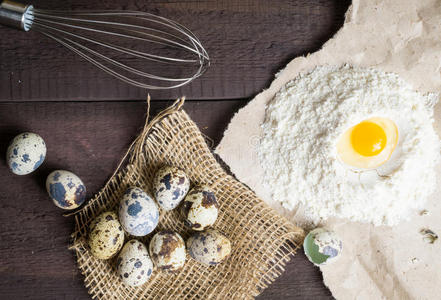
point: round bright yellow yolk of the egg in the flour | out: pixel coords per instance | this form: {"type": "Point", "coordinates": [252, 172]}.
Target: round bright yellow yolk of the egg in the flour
{"type": "Point", "coordinates": [368, 138]}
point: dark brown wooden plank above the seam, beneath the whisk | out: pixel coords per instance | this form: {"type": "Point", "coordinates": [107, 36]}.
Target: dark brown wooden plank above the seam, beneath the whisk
{"type": "Point", "coordinates": [248, 41]}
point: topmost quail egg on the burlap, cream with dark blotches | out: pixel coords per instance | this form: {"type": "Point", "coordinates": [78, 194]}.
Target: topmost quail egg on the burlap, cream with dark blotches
{"type": "Point", "coordinates": [170, 186]}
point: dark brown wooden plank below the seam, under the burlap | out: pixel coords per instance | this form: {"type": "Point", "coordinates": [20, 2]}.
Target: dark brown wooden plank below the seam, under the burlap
{"type": "Point", "coordinates": [88, 139]}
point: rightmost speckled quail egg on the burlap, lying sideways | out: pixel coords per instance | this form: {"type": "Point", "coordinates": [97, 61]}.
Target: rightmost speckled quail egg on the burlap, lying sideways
{"type": "Point", "coordinates": [209, 247]}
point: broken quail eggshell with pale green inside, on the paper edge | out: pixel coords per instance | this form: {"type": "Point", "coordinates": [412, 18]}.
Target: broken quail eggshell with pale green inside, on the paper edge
{"type": "Point", "coordinates": [322, 246]}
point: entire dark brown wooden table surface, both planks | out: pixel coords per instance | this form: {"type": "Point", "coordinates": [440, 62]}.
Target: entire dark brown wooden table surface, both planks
{"type": "Point", "coordinates": [88, 120]}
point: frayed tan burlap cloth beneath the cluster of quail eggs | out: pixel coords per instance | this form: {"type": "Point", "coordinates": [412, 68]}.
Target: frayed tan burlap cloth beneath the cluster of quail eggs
{"type": "Point", "coordinates": [262, 241]}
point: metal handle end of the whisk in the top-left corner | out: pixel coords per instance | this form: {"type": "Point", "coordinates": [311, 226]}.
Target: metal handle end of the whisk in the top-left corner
{"type": "Point", "coordinates": [17, 15]}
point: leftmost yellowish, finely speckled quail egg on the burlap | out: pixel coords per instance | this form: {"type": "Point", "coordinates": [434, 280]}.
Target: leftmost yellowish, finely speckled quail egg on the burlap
{"type": "Point", "coordinates": [106, 235]}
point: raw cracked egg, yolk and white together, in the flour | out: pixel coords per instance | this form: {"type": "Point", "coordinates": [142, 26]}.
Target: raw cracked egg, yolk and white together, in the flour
{"type": "Point", "coordinates": [368, 144]}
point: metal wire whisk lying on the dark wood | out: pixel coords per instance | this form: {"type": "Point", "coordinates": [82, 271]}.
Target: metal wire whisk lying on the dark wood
{"type": "Point", "coordinates": [139, 48]}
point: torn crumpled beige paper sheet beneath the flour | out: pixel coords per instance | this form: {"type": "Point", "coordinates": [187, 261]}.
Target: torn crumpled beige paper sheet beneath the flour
{"type": "Point", "coordinates": [401, 36]}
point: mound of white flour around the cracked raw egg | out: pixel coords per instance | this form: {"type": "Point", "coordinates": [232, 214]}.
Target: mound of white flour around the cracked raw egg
{"type": "Point", "coordinates": [298, 147]}
